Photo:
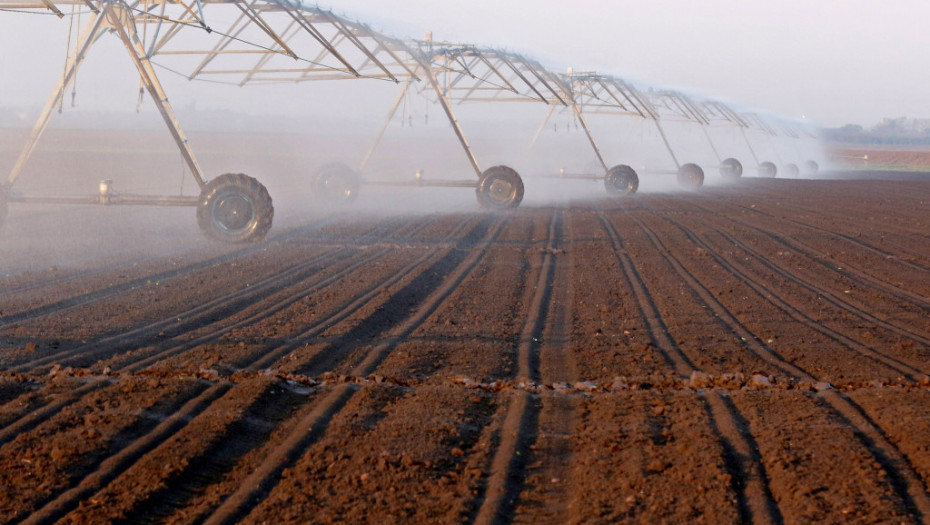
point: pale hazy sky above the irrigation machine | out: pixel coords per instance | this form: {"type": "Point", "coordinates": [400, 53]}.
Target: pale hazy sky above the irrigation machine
{"type": "Point", "coordinates": [830, 61]}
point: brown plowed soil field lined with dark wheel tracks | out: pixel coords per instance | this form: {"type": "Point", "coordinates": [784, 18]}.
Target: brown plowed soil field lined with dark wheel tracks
{"type": "Point", "coordinates": [757, 352]}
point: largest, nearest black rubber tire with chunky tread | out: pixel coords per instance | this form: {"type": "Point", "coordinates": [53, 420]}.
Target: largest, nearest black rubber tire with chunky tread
{"type": "Point", "coordinates": [235, 208]}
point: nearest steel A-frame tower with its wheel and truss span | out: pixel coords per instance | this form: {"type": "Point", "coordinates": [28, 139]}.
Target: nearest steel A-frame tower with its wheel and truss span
{"type": "Point", "coordinates": [233, 41]}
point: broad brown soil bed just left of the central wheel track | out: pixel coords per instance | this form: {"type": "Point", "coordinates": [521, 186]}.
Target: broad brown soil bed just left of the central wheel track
{"type": "Point", "coordinates": [393, 433]}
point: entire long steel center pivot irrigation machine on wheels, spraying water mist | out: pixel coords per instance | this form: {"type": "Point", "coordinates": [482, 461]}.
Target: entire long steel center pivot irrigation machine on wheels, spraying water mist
{"type": "Point", "coordinates": [272, 41]}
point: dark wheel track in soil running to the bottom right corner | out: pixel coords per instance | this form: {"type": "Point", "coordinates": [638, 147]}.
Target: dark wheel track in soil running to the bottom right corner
{"type": "Point", "coordinates": [900, 471]}
